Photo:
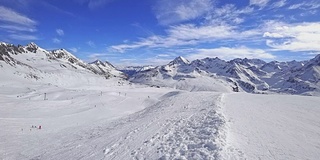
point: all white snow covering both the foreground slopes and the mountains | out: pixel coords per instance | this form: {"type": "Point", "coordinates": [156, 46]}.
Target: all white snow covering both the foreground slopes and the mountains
{"type": "Point", "coordinates": [182, 111]}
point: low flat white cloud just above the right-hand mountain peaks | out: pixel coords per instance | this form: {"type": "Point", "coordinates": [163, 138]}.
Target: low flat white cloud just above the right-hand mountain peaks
{"type": "Point", "coordinates": [229, 53]}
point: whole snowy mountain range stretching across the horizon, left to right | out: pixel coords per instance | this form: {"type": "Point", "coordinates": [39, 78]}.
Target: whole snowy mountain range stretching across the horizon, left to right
{"type": "Point", "coordinates": [32, 64]}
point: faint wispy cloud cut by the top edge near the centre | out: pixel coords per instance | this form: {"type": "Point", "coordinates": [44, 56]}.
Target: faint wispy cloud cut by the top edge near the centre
{"type": "Point", "coordinates": [169, 11]}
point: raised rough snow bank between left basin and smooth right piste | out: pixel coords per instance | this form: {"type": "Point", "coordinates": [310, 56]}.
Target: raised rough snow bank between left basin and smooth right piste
{"type": "Point", "coordinates": [182, 125]}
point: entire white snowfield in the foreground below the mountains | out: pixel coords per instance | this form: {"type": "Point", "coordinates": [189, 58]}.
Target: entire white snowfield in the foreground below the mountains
{"type": "Point", "coordinates": [138, 122]}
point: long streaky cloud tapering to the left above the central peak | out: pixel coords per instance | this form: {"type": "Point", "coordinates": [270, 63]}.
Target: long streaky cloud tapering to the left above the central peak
{"type": "Point", "coordinates": [187, 34]}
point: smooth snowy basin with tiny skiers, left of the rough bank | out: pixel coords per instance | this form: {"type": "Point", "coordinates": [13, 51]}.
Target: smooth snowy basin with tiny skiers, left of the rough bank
{"type": "Point", "coordinates": [63, 117]}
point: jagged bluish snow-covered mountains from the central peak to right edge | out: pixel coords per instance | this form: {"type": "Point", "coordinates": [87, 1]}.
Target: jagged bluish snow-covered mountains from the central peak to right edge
{"type": "Point", "coordinates": [248, 75]}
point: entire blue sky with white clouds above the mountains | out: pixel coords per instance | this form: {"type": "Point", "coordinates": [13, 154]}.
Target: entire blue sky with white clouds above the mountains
{"type": "Point", "coordinates": [135, 32]}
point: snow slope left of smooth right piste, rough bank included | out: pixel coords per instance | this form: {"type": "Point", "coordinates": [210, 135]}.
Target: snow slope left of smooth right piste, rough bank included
{"type": "Point", "coordinates": [127, 123]}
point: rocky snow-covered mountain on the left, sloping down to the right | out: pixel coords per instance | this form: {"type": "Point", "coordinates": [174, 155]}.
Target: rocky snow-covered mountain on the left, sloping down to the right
{"type": "Point", "coordinates": [59, 67]}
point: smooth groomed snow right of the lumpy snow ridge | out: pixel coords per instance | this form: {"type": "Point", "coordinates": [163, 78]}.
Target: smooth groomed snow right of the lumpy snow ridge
{"type": "Point", "coordinates": [273, 126]}
